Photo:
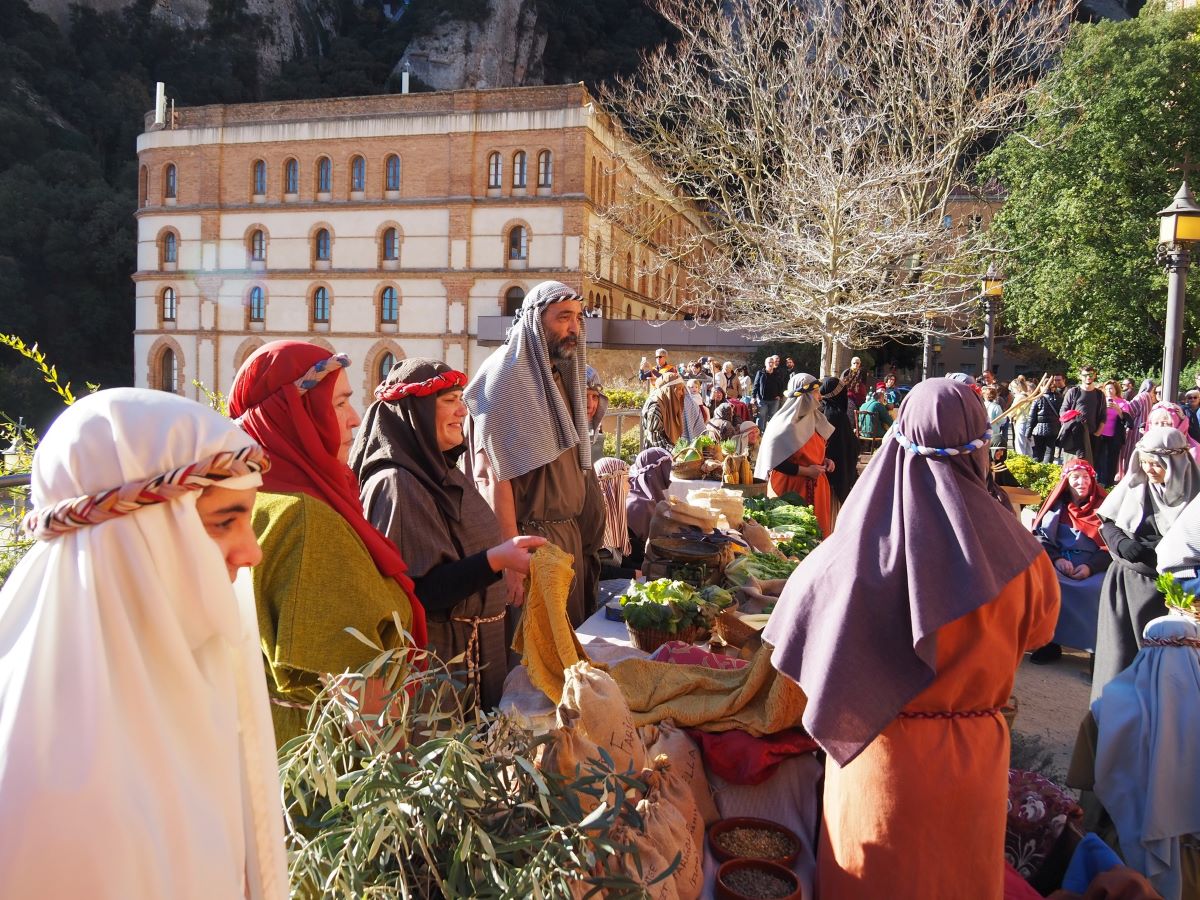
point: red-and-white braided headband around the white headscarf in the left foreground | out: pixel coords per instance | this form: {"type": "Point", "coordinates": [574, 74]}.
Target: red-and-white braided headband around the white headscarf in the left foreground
{"type": "Point", "coordinates": [93, 509]}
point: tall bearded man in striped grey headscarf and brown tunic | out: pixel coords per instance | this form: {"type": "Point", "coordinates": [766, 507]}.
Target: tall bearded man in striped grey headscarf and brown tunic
{"type": "Point", "coordinates": [529, 436]}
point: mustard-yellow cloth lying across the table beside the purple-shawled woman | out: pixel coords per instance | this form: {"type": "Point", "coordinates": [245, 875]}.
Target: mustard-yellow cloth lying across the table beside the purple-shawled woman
{"type": "Point", "coordinates": [754, 699]}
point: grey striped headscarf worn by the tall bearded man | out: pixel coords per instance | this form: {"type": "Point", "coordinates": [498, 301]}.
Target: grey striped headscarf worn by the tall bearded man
{"type": "Point", "coordinates": [518, 412]}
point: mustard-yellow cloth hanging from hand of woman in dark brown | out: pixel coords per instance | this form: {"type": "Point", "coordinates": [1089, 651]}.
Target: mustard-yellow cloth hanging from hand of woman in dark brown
{"type": "Point", "coordinates": [547, 641]}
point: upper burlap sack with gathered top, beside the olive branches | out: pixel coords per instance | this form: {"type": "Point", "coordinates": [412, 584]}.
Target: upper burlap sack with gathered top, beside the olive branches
{"type": "Point", "coordinates": [604, 716]}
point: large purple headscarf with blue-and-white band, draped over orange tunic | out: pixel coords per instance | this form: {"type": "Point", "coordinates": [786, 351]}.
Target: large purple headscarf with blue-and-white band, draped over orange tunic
{"type": "Point", "coordinates": [922, 544]}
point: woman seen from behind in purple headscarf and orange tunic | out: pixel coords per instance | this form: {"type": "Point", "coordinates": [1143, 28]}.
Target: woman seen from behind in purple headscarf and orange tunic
{"type": "Point", "coordinates": [905, 637]}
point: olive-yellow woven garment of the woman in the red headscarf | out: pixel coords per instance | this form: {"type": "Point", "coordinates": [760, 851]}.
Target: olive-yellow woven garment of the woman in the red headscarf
{"type": "Point", "coordinates": [316, 580]}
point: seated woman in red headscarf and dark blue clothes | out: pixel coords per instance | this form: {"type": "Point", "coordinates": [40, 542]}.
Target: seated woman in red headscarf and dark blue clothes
{"type": "Point", "coordinates": [1069, 529]}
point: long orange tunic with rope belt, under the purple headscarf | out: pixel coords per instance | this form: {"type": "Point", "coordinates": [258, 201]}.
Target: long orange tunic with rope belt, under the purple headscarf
{"type": "Point", "coordinates": [921, 813]}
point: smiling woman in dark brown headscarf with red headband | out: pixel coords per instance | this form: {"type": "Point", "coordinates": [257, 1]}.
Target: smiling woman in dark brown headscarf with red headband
{"type": "Point", "coordinates": [406, 460]}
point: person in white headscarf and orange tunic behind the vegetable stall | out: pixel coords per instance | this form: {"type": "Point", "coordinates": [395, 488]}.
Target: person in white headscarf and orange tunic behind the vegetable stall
{"type": "Point", "coordinates": [793, 457]}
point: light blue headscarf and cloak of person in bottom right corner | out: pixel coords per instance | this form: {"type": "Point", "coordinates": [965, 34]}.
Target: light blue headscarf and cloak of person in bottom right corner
{"type": "Point", "coordinates": [1145, 754]}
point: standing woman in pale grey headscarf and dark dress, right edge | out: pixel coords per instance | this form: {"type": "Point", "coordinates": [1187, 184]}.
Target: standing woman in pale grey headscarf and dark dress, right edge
{"type": "Point", "coordinates": [1135, 518]}
